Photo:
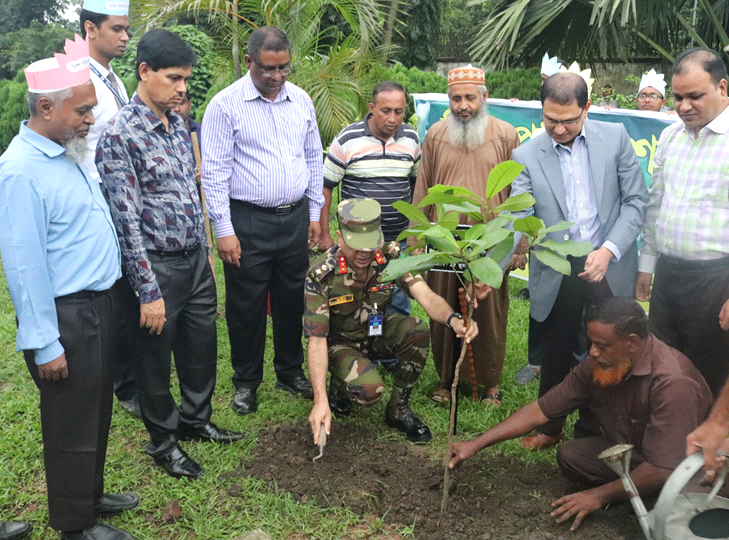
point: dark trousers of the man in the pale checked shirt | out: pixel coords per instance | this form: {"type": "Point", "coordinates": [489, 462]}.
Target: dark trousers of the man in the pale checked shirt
{"type": "Point", "coordinates": [686, 300]}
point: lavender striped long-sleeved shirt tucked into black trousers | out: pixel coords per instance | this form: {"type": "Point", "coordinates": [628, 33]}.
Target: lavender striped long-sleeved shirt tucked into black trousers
{"type": "Point", "coordinates": [264, 152]}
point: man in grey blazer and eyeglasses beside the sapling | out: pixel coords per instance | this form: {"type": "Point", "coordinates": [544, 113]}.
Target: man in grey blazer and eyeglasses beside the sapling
{"type": "Point", "coordinates": [584, 172]}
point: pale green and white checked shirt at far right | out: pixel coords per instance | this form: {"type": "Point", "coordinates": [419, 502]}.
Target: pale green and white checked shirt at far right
{"type": "Point", "coordinates": [688, 214]}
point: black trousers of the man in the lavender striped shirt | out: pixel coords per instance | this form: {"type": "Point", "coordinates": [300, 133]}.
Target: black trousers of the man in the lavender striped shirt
{"type": "Point", "coordinates": [274, 259]}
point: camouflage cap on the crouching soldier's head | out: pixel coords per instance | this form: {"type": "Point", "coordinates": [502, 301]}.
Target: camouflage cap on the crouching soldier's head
{"type": "Point", "coordinates": [359, 222]}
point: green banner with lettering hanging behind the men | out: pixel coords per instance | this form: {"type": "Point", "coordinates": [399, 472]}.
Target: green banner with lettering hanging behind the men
{"type": "Point", "coordinates": [644, 128]}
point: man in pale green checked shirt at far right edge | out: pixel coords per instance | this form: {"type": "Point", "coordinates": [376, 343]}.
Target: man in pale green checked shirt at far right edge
{"type": "Point", "coordinates": [686, 234]}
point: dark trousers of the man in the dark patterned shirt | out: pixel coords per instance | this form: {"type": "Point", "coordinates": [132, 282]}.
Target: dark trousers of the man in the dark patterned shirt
{"type": "Point", "coordinates": [188, 290]}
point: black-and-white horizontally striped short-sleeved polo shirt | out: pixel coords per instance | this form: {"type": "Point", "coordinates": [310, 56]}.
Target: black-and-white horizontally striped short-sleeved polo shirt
{"type": "Point", "coordinates": [369, 167]}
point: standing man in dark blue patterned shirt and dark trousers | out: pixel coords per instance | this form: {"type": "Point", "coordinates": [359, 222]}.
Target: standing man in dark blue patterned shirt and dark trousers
{"type": "Point", "coordinates": [146, 166]}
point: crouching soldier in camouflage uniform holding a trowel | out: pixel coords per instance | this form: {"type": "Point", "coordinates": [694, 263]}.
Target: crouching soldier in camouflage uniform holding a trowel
{"type": "Point", "coordinates": [347, 327]}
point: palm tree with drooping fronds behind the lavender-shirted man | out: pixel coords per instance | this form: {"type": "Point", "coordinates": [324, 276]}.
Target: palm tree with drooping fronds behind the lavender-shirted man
{"type": "Point", "coordinates": [331, 65]}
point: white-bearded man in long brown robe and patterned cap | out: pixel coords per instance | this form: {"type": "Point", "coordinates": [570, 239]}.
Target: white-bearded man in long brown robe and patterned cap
{"type": "Point", "coordinates": [460, 151]}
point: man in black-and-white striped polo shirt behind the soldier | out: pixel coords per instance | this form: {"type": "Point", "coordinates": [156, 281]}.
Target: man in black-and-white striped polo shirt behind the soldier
{"type": "Point", "coordinates": [375, 158]}
